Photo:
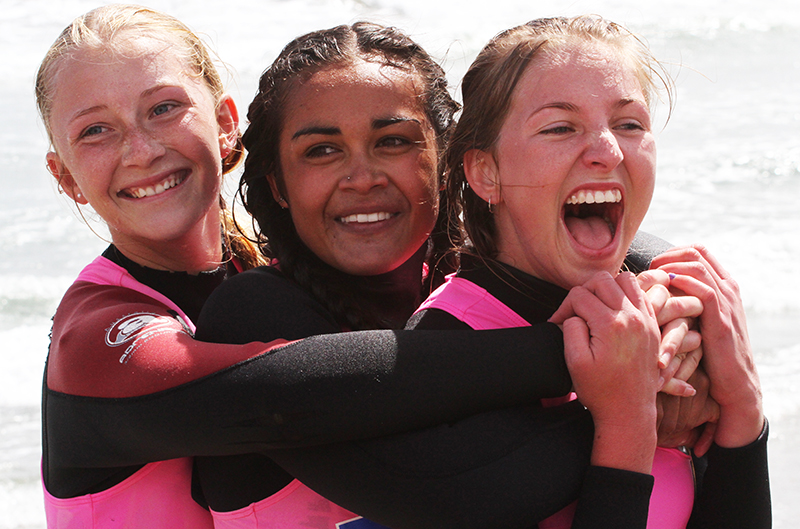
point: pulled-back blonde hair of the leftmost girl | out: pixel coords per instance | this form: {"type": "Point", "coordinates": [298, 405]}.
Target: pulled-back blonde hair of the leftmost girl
{"type": "Point", "coordinates": [108, 29]}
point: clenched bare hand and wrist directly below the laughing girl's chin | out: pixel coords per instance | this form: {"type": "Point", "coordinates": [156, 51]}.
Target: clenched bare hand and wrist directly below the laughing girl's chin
{"type": "Point", "coordinates": [611, 339]}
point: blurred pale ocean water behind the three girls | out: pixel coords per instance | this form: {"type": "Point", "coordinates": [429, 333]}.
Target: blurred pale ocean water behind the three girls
{"type": "Point", "coordinates": [728, 176]}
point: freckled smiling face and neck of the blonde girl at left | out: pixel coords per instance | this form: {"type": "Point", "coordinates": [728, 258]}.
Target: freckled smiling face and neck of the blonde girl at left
{"type": "Point", "coordinates": [141, 139]}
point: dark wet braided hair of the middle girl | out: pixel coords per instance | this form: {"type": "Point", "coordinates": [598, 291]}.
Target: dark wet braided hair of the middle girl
{"type": "Point", "coordinates": [299, 60]}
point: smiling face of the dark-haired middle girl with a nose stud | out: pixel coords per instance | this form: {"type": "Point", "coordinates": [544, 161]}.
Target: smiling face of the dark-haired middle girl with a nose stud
{"type": "Point", "coordinates": [358, 162]}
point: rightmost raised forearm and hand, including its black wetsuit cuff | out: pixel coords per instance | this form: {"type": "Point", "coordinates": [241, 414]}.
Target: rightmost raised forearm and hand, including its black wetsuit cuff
{"type": "Point", "coordinates": [735, 488]}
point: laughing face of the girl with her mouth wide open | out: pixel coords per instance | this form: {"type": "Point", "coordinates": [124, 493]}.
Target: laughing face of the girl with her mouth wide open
{"type": "Point", "coordinates": [573, 169]}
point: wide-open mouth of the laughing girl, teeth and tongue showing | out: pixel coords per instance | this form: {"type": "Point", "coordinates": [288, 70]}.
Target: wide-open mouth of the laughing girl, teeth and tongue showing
{"type": "Point", "coordinates": [592, 217]}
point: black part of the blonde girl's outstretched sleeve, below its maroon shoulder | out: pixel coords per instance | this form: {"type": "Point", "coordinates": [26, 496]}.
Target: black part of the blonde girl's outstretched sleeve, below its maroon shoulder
{"type": "Point", "coordinates": [320, 390]}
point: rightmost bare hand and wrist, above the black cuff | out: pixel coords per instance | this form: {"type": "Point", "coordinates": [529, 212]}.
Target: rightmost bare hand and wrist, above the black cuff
{"type": "Point", "coordinates": [728, 356]}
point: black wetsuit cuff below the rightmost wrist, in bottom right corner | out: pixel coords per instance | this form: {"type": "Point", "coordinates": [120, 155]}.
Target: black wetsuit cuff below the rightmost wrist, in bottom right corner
{"type": "Point", "coordinates": [733, 489]}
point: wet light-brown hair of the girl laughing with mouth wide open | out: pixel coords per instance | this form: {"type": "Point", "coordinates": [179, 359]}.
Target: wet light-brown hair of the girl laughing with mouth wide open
{"type": "Point", "coordinates": [488, 88]}
